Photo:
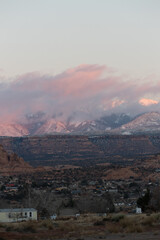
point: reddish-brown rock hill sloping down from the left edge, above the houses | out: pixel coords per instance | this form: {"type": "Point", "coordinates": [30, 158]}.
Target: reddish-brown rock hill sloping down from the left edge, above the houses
{"type": "Point", "coordinates": [12, 164]}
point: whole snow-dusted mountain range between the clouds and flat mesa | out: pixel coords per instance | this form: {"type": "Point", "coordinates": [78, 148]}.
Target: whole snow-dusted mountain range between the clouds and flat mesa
{"type": "Point", "coordinates": [122, 124]}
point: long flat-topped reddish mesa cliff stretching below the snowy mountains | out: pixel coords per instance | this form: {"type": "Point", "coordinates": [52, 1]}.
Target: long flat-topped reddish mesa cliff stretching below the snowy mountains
{"type": "Point", "coordinates": [81, 150]}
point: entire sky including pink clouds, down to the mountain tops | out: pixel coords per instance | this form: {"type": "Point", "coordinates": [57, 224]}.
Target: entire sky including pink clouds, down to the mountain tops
{"type": "Point", "coordinates": [98, 55]}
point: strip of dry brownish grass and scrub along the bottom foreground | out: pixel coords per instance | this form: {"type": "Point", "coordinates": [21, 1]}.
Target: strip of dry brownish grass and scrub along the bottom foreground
{"type": "Point", "coordinates": [87, 225]}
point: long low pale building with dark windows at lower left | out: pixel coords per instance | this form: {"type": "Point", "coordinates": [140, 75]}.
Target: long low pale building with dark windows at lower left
{"type": "Point", "coordinates": [18, 214]}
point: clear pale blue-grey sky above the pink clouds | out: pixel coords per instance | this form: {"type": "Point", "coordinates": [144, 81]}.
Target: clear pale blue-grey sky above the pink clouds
{"type": "Point", "coordinates": [52, 35]}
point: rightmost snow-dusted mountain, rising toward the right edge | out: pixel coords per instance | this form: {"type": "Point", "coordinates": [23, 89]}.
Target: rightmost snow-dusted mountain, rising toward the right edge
{"type": "Point", "coordinates": [145, 123]}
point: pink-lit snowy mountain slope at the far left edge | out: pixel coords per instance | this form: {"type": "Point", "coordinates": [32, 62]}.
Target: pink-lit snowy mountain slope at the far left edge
{"type": "Point", "coordinates": [14, 130]}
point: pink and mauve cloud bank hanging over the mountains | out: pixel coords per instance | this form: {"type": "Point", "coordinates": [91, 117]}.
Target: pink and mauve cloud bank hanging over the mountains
{"type": "Point", "coordinates": [83, 92]}
